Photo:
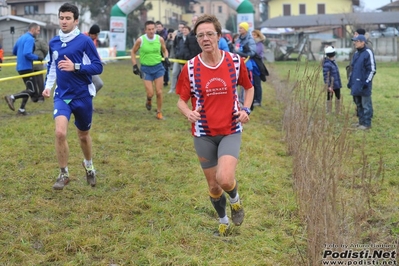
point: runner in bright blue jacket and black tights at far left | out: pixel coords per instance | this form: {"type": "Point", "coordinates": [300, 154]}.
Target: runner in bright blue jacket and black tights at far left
{"type": "Point", "coordinates": [24, 50]}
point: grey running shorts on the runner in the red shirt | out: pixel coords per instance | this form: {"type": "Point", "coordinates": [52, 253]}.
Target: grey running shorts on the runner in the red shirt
{"type": "Point", "coordinates": [210, 149]}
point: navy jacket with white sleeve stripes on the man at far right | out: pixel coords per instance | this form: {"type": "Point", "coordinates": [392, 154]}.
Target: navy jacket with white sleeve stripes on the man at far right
{"type": "Point", "coordinates": [363, 70]}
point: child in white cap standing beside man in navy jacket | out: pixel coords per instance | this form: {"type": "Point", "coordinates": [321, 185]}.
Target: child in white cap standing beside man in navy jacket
{"type": "Point", "coordinates": [332, 79]}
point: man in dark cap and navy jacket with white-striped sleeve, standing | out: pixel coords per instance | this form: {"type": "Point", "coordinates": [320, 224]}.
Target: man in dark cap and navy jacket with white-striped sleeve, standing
{"type": "Point", "coordinates": [361, 81]}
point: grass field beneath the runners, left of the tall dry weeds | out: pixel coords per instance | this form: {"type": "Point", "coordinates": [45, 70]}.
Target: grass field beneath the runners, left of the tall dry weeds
{"type": "Point", "coordinates": [150, 206]}
